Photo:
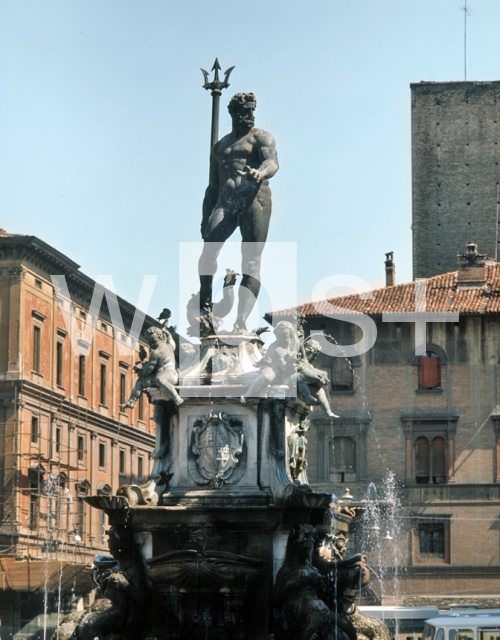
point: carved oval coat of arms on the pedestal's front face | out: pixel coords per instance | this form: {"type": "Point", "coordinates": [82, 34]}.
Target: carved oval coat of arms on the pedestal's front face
{"type": "Point", "coordinates": [217, 451]}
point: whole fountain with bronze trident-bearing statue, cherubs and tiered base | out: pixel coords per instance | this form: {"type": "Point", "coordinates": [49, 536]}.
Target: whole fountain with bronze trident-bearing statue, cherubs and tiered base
{"type": "Point", "coordinates": [227, 539]}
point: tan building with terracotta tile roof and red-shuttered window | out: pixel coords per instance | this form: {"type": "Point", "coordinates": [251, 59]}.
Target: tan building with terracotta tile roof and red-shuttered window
{"type": "Point", "coordinates": [433, 421]}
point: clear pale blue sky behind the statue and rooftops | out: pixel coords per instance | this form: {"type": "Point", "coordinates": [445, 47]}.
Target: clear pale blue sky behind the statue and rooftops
{"type": "Point", "coordinates": [105, 126]}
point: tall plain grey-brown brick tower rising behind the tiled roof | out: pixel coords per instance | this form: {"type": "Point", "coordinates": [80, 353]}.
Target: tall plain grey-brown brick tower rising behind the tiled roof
{"type": "Point", "coordinates": [455, 171]}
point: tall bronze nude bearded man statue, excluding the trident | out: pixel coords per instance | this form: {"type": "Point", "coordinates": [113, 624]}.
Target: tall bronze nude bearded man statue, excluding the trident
{"type": "Point", "coordinates": [238, 195]}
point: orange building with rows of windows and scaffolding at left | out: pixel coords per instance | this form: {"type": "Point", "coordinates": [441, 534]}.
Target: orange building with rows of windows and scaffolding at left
{"type": "Point", "coordinates": [62, 433]}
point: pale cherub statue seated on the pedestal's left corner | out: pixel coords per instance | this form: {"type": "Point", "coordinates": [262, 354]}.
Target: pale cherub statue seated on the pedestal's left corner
{"type": "Point", "coordinates": [159, 371]}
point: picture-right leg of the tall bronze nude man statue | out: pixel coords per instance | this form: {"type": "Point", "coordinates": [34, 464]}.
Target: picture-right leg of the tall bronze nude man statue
{"type": "Point", "coordinates": [254, 225]}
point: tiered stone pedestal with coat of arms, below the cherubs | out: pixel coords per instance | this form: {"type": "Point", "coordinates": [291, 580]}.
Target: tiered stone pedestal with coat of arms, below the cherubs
{"type": "Point", "coordinates": [218, 537]}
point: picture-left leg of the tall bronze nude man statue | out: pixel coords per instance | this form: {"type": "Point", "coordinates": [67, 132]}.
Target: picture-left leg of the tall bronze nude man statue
{"type": "Point", "coordinates": [220, 226]}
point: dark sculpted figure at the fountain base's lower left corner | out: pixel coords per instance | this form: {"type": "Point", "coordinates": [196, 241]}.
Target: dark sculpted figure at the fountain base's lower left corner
{"type": "Point", "coordinates": [123, 611]}
